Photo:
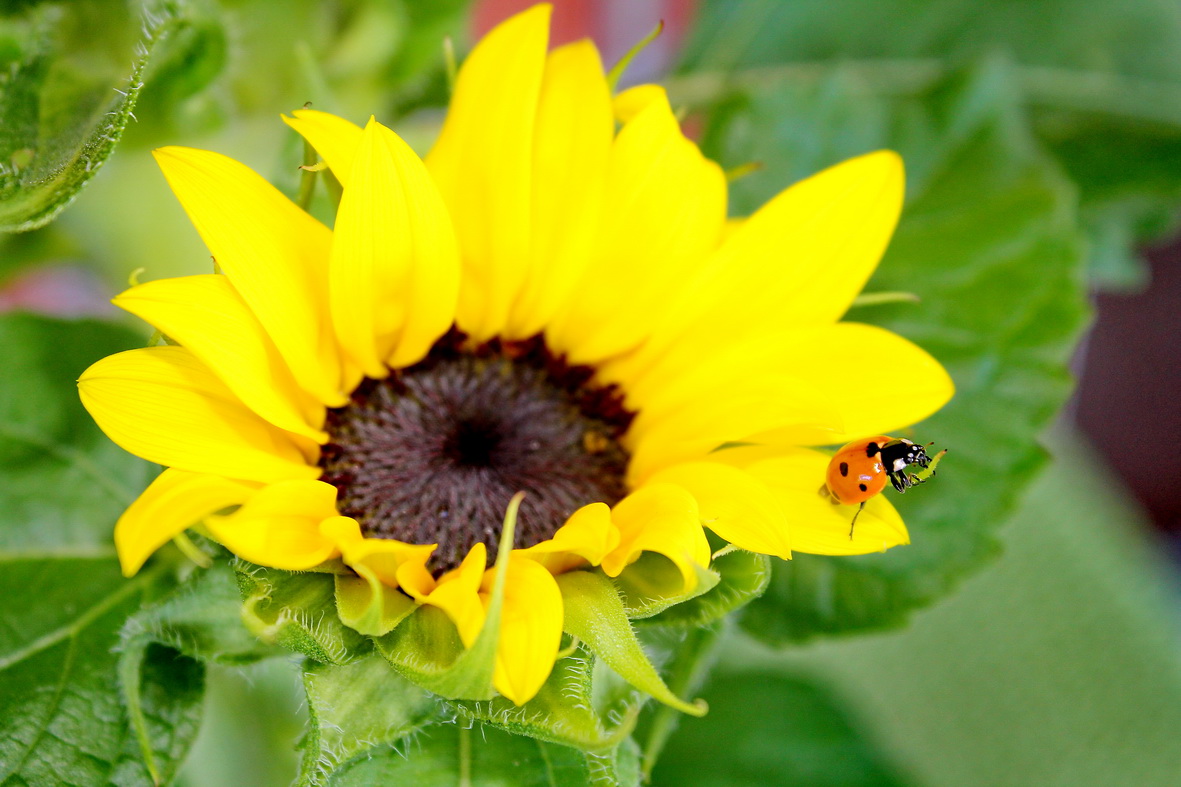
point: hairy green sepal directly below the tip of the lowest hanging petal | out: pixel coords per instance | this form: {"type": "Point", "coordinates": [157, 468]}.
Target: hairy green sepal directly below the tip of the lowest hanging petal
{"type": "Point", "coordinates": [562, 713]}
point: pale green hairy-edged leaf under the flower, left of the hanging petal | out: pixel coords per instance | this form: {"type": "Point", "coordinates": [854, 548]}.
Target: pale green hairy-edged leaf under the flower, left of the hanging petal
{"type": "Point", "coordinates": [355, 710]}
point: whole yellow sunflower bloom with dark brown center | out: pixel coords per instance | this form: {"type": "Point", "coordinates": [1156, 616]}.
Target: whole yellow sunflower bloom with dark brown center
{"type": "Point", "coordinates": [553, 302]}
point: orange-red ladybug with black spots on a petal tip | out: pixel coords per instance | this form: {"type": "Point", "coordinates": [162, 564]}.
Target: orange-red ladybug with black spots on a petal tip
{"type": "Point", "coordinates": [862, 469]}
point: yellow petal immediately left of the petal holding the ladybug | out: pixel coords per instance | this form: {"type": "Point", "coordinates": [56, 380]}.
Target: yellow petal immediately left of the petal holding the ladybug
{"type": "Point", "coordinates": [735, 505]}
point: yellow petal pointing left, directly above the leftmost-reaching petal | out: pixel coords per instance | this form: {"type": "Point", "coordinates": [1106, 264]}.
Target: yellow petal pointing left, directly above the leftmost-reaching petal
{"type": "Point", "coordinates": [207, 316]}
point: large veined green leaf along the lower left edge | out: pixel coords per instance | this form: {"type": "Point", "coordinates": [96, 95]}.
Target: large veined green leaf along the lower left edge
{"type": "Point", "coordinates": [62, 708]}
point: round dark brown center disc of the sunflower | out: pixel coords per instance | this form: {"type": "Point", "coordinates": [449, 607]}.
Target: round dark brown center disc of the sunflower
{"type": "Point", "coordinates": [434, 453]}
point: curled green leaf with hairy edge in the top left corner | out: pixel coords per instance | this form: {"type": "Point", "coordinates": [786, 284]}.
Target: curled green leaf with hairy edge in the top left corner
{"type": "Point", "coordinates": [64, 103]}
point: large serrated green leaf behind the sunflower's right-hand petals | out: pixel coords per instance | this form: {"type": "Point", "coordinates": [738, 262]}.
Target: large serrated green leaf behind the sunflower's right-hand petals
{"type": "Point", "coordinates": [989, 243]}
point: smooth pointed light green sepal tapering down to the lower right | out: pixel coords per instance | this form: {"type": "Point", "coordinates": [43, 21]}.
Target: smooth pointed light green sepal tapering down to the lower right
{"type": "Point", "coordinates": [596, 615]}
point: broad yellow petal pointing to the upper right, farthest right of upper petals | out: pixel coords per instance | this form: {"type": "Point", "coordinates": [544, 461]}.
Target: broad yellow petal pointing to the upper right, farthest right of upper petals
{"type": "Point", "coordinates": [804, 257]}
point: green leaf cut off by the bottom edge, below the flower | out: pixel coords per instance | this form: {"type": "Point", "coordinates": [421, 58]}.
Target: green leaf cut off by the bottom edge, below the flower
{"type": "Point", "coordinates": [446, 756]}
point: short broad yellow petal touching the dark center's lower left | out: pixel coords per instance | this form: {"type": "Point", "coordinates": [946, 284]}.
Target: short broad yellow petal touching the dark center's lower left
{"type": "Point", "coordinates": [279, 526]}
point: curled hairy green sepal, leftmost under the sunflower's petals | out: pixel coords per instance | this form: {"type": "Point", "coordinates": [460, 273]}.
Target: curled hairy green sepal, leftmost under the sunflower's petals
{"type": "Point", "coordinates": [297, 612]}
